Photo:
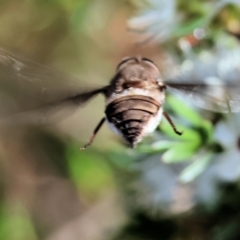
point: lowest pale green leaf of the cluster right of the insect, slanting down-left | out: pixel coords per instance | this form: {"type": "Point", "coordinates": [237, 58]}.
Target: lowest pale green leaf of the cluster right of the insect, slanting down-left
{"type": "Point", "coordinates": [196, 168]}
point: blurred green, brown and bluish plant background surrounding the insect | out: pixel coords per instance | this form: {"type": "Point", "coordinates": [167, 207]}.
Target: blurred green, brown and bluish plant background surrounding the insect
{"type": "Point", "coordinates": [169, 187]}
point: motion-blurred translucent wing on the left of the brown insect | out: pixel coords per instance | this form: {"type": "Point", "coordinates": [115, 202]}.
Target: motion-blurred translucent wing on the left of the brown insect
{"type": "Point", "coordinates": [30, 91]}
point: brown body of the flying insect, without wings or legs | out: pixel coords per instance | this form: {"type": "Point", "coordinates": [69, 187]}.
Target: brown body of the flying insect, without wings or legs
{"type": "Point", "coordinates": [134, 99]}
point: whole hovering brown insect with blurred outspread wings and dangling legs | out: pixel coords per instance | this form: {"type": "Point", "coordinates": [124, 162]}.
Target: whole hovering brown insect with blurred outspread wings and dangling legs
{"type": "Point", "coordinates": [134, 97]}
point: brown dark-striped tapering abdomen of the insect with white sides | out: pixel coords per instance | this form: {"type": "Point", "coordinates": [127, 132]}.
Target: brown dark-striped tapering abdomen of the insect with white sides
{"type": "Point", "coordinates": [133, 117]}
